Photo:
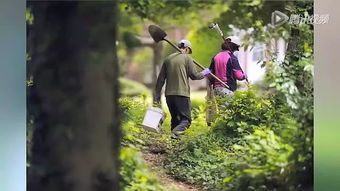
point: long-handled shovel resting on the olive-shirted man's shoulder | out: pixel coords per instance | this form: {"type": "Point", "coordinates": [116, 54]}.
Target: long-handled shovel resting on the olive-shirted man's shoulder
{"type": "Point", "coordinates": [158, 34]}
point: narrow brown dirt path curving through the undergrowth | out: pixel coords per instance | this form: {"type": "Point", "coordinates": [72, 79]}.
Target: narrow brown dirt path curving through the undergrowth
{"type": "Point", "coordinates": [155, 162]}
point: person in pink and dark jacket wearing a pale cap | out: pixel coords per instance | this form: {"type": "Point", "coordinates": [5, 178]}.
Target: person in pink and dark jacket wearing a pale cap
{"type": "Point", "coordinates": [225, 66]}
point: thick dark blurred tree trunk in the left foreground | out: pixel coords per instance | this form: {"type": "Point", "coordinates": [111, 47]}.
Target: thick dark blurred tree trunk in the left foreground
{"type": "Point", "coordinates": [74, 98]}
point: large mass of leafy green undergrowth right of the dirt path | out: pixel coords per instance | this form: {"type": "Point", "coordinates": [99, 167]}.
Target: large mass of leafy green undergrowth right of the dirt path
{"type": "Point", "coordinates": [248, 147]}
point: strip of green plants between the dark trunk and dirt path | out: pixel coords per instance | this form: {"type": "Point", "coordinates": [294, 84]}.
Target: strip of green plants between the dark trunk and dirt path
{"type": "Point", "coordinates": [134, 171]}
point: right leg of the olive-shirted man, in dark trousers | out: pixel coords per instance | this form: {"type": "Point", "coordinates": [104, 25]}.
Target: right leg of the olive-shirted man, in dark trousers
{"type": "Point", "coordinates": [183, 106]}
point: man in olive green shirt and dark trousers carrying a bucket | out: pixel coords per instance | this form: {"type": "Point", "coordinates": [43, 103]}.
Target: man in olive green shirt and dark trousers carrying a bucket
{"type": "Point", "coordinates": [176, 71]}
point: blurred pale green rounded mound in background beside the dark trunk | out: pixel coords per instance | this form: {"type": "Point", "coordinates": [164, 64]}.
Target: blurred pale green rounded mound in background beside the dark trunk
{"type": "Point", "coordinates": [132, 88]}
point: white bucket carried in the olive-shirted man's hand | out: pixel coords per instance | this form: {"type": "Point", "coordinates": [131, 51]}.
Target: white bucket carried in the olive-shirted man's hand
{"type": "Point", "coordinates": [153, 119]}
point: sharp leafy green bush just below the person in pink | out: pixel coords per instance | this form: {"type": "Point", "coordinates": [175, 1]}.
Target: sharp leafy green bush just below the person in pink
{"type": "Point", "coordinates": [246, 112]}
